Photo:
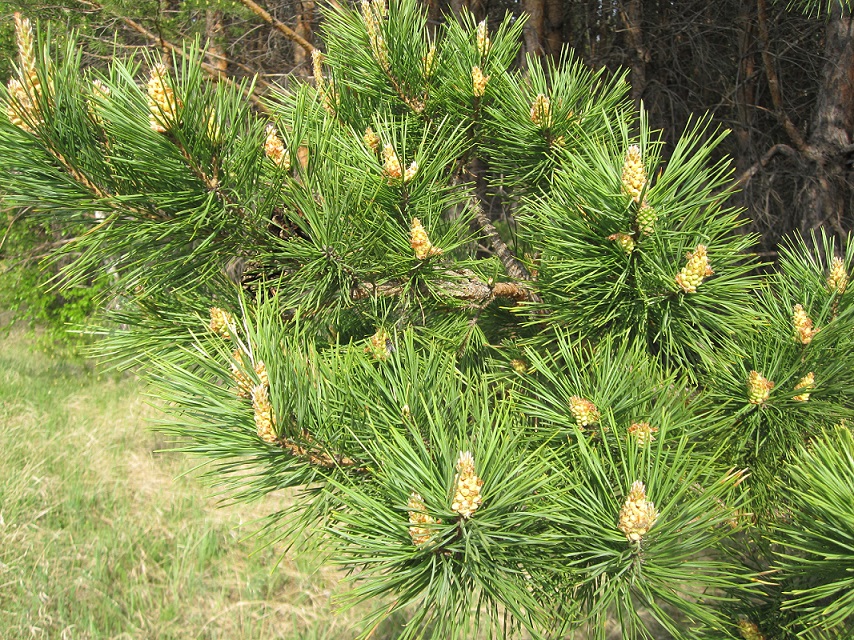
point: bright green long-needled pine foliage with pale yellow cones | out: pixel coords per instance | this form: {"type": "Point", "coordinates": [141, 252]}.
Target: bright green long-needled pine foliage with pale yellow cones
{"type": "Point", "coordinates": [511, 352]}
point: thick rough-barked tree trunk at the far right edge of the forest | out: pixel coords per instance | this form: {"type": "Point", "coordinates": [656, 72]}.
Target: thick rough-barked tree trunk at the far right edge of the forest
{"type": "Point", "coordinates": [829, 192]}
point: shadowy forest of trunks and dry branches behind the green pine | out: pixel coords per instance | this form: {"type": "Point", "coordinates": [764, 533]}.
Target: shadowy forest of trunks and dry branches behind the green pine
{"type": "Point", "coordinates": [781, 81]}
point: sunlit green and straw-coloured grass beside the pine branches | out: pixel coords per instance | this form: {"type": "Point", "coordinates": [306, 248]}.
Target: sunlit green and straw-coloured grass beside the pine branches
{"type": "Point", "coordinates": [100, 538]}
